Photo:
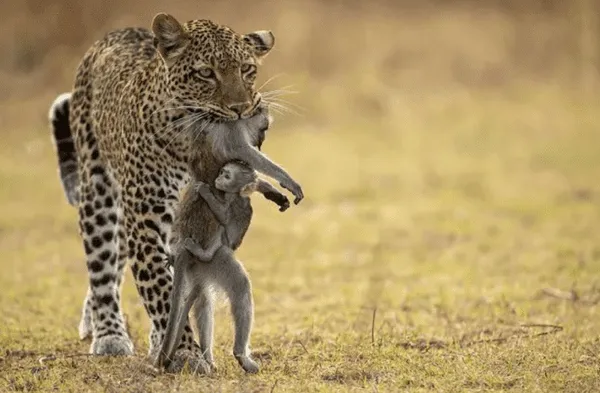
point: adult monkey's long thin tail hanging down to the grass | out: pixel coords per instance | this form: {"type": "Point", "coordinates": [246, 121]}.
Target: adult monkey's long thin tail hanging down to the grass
{"type": "Point", "coordinates": [182, 297]}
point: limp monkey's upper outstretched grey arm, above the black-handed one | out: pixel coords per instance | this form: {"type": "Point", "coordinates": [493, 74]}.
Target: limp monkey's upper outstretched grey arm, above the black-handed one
{"type": "Point", "coordinates": [263, 164]}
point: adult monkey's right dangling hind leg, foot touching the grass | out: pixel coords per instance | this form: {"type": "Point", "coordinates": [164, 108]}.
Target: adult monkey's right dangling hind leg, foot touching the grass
{"type": "Point", "coordinates": [231, 276]}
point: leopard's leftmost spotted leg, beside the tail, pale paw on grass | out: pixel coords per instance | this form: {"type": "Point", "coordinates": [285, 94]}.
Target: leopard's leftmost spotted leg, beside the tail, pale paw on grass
{"type": "Point", "coordinates": [99, 216]}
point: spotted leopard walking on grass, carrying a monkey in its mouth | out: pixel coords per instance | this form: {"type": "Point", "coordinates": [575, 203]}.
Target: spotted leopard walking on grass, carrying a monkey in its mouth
{"type": "Point", "coordinates": [123, 136]}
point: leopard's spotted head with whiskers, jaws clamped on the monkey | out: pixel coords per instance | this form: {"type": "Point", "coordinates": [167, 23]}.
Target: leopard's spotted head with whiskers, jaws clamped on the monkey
{"type": "Point", "coordinates": [211, 68]}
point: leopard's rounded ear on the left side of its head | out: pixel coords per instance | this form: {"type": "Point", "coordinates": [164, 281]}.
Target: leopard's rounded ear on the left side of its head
{"type": "Point", "coordinates": [170, 39]}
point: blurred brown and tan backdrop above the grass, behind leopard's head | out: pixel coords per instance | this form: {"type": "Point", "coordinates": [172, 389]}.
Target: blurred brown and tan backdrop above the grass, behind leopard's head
{"type": "Point", "coordinates": [361, 55]}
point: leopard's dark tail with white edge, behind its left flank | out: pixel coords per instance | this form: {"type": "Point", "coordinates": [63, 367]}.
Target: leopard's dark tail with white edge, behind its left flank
{"type": "Point", "coordinates": [65, 147]}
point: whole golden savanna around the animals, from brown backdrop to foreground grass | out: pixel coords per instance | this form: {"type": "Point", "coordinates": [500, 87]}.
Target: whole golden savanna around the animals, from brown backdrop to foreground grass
{"type": "Point", "coordinates": [449, 240]}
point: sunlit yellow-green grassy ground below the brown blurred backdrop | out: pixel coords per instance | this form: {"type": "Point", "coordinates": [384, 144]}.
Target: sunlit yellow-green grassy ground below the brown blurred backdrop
{"type": "Point", "coordinates": [449, 245]}
